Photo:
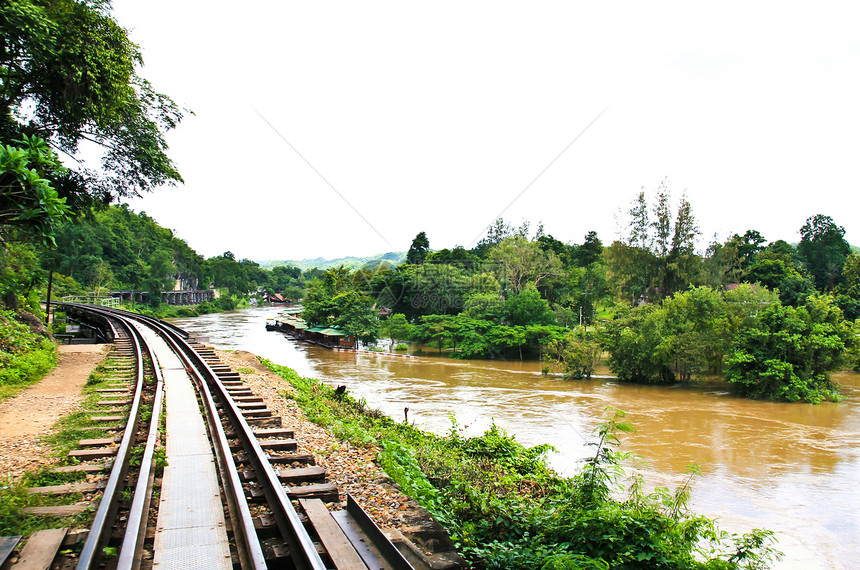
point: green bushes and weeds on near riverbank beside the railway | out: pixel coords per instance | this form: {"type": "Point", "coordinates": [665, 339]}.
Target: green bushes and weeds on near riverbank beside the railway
{"type": "Point", "coordinates": [505, 508]}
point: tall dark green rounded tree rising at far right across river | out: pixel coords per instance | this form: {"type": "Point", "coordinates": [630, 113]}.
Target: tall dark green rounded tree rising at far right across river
{"type": "Point", "coordinates": [823, 250]}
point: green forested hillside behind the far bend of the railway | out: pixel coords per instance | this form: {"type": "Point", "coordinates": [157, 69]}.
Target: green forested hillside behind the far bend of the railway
{"type": "Point", "coordinates": [117, 249]}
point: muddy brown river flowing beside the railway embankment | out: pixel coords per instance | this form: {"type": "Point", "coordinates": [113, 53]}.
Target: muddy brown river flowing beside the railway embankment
{"type": "Point", "coordinates": [790, 468]}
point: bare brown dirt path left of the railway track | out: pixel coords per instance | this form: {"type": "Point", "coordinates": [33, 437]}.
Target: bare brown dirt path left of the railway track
{"type": "Point", "coordinates": [28, 416]}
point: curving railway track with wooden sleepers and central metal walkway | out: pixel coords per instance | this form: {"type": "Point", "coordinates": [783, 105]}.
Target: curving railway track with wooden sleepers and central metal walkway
{"type": "Point", "coordinates": [235, 492]}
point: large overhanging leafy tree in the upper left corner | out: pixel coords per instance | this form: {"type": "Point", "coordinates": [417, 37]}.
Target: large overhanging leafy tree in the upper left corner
{"type": "Point", "coordinates": [69, 75]}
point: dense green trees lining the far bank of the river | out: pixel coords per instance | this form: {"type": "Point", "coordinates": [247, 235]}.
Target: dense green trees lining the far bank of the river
{"type": "Point", "coordinates": [671, 314]}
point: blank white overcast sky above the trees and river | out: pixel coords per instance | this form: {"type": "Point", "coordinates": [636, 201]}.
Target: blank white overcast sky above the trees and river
{"type": "Point", "coordinates": [434, 116]}
